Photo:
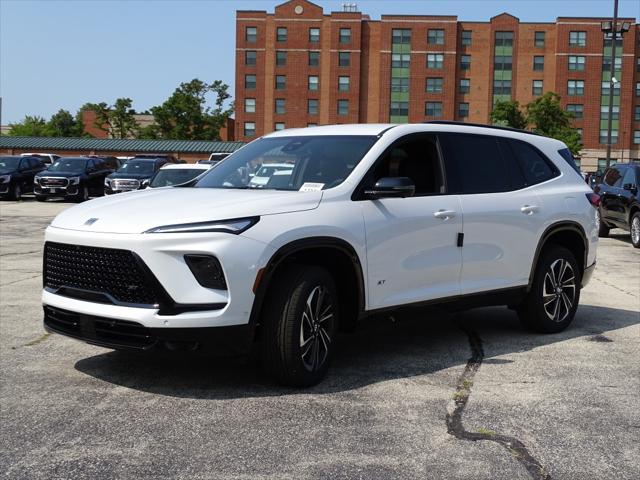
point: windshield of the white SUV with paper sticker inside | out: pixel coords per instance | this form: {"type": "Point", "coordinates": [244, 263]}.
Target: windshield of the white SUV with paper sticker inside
{"type": "Point", "coordinates": [324, 161]}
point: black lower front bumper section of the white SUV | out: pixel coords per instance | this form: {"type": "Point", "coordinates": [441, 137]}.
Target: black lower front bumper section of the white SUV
{"type": "Point", "coordinates": [128, 335]}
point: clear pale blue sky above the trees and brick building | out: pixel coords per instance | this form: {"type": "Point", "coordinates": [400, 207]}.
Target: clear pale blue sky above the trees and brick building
{"type": "Point", "coordinates": [63, 53]}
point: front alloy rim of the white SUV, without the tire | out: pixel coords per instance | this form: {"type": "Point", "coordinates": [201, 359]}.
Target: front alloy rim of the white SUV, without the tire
{"type": "Point", "coordinates": [317, 323]}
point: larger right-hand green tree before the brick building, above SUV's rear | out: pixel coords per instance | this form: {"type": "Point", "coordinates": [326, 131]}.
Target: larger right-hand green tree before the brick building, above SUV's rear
{"type": "Point", "coordinates": [547, 117]}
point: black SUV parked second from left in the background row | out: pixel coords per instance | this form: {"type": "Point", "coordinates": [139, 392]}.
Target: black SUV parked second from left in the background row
{"type": "Point", "coordinates": [74, 178]}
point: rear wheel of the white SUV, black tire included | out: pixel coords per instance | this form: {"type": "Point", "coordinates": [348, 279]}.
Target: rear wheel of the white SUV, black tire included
{"type": "Point", "coordinates": [538, 310]}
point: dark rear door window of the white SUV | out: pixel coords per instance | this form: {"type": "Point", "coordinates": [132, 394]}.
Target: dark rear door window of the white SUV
{"type": "Point", "coordinates": [474, 164]}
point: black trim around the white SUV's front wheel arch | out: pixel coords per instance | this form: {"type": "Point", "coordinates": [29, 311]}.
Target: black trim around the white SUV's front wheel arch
{"type": "Point", "coordinates": [291, 248]}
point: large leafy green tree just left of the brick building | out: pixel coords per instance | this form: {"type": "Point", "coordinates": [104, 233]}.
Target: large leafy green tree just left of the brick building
{"type": "Point", "coordinates": [186, 114]}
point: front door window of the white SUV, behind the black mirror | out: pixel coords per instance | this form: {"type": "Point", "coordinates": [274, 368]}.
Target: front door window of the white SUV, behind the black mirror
{"type": "Point", "coordinates": [416, 158]}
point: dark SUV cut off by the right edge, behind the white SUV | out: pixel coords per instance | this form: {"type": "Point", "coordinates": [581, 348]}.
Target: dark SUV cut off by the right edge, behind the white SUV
{"type": "Point", "coordinates": [619, 204]}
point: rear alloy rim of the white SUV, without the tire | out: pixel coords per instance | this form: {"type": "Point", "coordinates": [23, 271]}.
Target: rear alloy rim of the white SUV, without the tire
{"type": "Point", "coordinates": [559, 290]}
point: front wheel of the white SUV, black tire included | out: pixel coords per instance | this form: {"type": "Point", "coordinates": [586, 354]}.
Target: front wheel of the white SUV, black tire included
{"type": "Point", "coordinates": [296, 349]}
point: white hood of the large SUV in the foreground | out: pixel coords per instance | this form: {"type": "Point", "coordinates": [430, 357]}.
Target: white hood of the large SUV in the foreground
{"type": "Point", "coordinates": [138, 211]}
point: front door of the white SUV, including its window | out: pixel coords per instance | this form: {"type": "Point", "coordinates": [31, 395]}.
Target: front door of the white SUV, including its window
{"type": "Point", "coordinates": [412, 252]}
